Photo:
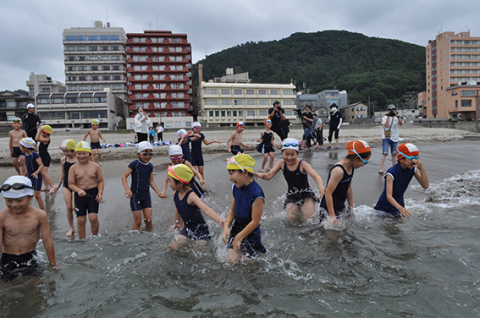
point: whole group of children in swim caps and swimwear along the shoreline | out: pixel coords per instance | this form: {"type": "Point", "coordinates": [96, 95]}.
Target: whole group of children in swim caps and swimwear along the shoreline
{"type": "Point", "coordinates": [84, 185]}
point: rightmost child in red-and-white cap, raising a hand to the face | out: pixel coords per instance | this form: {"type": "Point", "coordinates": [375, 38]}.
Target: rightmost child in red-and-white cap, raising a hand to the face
{"type": "Point", "coordinates": [397, 179]}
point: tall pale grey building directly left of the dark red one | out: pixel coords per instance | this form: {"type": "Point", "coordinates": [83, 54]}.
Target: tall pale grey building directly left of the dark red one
{"type": "Point", "coordinates": [95, 59]}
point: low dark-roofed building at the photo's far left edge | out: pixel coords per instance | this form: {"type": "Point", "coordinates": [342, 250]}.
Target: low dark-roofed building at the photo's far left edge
{"type": "Point", "coordinates": [12, 105]}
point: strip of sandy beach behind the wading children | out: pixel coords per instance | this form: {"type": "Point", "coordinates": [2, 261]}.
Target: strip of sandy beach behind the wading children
{"type": "Point", "coordinates": [371, 134]}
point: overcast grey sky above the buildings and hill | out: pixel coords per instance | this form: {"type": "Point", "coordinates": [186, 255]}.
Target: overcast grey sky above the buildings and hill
{"type": "Point", "coordinates": [31, 31]}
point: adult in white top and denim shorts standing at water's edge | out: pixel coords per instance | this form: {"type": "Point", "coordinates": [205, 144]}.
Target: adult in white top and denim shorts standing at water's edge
{"type": "Point", "coordinates": [390, 135]}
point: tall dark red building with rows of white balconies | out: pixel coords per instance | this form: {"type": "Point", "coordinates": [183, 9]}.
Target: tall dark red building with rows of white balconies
{"type": "Point", "coordinates": [159, 71]}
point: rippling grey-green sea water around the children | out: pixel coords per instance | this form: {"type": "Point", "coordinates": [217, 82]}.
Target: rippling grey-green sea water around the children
{"type": "Point", "coordinates": [425, 266]}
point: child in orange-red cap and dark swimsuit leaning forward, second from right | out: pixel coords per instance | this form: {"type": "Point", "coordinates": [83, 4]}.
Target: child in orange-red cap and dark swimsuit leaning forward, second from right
{"type": "Point", "coordinates": [339, 183]}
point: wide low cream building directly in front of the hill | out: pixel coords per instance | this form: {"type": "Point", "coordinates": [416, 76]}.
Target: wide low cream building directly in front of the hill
{"type": "Point", "coordinates": [233, 98]}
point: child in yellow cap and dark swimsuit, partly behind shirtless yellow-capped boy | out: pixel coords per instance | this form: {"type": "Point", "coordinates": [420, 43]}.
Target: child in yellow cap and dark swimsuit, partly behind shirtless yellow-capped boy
{"type": "Point", "coordinates": [68, 148]}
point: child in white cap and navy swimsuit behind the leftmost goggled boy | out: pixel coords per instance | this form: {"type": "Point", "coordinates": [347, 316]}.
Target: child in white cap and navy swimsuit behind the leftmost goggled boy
{"type": "Point", "coordinates": [34, 165]}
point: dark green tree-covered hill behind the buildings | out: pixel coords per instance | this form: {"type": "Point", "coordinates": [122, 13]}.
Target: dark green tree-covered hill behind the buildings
{"type": "Point", "coordinates": [389, 71]}
